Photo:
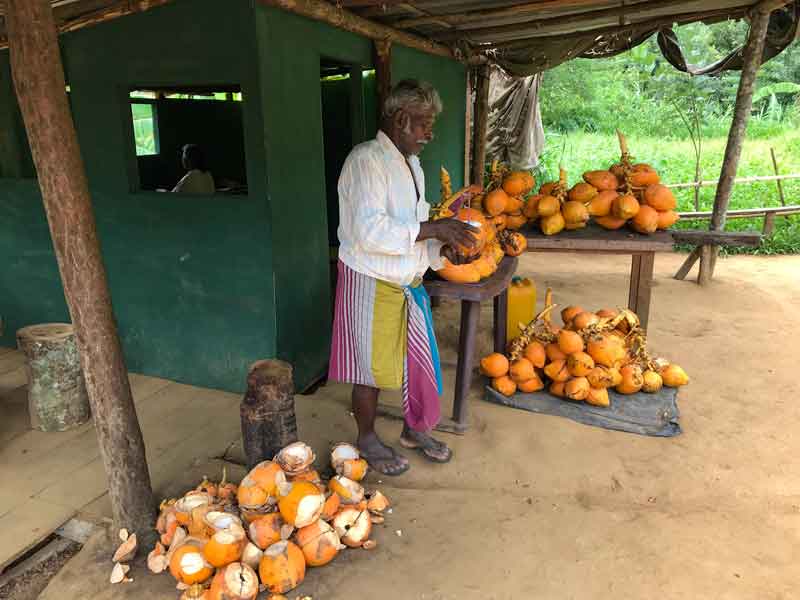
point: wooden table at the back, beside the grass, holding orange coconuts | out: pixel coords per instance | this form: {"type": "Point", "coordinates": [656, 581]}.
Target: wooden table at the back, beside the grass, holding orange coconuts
{"type": "Point", "coordinates": [596, 240]}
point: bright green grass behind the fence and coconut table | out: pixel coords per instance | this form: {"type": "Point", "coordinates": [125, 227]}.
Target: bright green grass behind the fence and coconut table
{"type": "Point", "coordinates": [675, 161]}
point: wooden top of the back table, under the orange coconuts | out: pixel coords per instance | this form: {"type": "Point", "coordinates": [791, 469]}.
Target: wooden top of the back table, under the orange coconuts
{"type": "Point", "coordinates": [596, 239]}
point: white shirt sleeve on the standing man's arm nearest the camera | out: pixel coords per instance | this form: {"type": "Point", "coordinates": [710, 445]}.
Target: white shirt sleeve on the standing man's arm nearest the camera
{"type": "Point", "coordinates": [363, 192]}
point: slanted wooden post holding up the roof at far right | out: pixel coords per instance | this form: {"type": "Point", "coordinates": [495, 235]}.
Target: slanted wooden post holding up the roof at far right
{"type": "Point", "coordinates": [741, 114]}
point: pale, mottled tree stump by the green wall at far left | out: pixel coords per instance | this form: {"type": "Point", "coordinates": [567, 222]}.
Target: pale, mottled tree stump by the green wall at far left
{"type": "Point", "coordinates": [57, 398]}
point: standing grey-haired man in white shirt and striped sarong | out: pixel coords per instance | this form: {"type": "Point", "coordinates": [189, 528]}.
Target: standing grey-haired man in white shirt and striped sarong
{"type": "Point", "coordinates": [383, 331]}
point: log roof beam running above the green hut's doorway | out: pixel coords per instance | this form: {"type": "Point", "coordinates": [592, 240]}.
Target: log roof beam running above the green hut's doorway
{"type": "Point", "coordinates": [344, 19]}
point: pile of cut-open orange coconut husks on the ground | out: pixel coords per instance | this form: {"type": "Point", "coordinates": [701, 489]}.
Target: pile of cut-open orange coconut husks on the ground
{"type": "Point", "coordinates": [222, 541]}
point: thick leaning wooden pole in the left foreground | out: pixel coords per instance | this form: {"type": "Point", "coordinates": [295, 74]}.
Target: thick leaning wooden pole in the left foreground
{"type": "Point", "coordinates": [39, 82]}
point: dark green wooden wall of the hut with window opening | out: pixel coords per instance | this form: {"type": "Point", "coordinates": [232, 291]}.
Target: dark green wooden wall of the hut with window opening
{"type": "Point", "coordinates": [203, 286]}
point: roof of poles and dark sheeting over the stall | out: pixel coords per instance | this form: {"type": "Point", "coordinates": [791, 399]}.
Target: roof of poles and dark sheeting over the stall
{"type": "Point", "coordinates": [520, 35]}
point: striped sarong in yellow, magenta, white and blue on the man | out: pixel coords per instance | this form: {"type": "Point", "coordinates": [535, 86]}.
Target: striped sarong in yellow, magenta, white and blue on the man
{"type": "Point", "coordinates": [383, 338]}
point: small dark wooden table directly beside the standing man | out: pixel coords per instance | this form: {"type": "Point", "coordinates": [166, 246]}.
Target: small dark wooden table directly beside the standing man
{"type": "Point", "coordinates": [471, 295]}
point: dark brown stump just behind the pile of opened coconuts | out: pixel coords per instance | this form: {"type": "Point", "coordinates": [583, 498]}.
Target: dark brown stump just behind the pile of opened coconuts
{"type": "Point", "coordinates": [267, 411]}
